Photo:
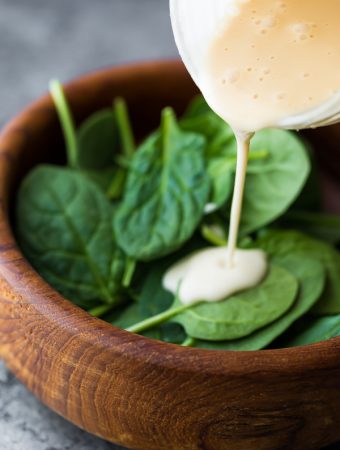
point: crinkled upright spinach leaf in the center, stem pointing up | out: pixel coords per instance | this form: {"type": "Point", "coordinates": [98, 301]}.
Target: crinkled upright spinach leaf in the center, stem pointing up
{"type": "Point", "coordinates": [165, 194]}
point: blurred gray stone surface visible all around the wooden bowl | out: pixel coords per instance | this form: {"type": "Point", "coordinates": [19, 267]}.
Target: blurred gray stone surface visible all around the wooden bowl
{"type": "Point", "coordinates": [41, 39]}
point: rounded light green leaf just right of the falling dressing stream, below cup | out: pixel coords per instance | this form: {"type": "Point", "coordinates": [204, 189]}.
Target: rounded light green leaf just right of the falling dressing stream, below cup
{"type": "Point", "coordinates": [275, 182]}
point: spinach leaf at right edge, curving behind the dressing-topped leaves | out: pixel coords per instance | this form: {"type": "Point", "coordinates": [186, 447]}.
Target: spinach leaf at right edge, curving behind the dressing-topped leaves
{"type": "Point", "coordinates": [279, 243]}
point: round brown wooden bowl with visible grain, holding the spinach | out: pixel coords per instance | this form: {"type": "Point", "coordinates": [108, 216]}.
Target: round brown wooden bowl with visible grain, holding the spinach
{"type": "Point", "coordinates": [130, 390]}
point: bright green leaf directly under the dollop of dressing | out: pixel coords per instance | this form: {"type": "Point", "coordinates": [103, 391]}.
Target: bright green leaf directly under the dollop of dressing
{"type": "Point", "coordinates": [243, 313]}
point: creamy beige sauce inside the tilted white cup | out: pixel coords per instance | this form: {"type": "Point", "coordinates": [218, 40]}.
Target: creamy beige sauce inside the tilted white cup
{"type": "Point", "coordinates": [274, 59]}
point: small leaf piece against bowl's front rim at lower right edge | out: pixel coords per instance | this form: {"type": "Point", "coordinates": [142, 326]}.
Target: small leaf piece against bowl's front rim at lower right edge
{"type": "Point", "coordinates": [310, 330]}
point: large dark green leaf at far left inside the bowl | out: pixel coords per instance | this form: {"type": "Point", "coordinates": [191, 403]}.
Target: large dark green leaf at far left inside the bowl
{"type": "Point", "coordinates": [64, 227]}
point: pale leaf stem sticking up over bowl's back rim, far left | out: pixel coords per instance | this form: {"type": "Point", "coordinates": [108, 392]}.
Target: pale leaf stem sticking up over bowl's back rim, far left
{"type": "Point", "coordinates": [66, 121]}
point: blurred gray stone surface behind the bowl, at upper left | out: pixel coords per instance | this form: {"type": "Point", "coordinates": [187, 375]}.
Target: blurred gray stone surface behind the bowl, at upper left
{"type": "Point", "coordinates": [40, 39]}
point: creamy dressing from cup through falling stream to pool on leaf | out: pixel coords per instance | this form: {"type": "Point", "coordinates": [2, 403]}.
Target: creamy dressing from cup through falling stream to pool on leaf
{"type": "Point", "coordinates": [270, 61]}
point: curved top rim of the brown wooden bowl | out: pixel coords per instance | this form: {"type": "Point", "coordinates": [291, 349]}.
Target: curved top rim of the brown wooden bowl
{"type": "Point", "coordinates": [51, 304]}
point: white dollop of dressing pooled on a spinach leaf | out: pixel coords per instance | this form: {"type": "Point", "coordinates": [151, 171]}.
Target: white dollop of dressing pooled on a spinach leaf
{"type": "Point", "coordinates": [207, 275]}
